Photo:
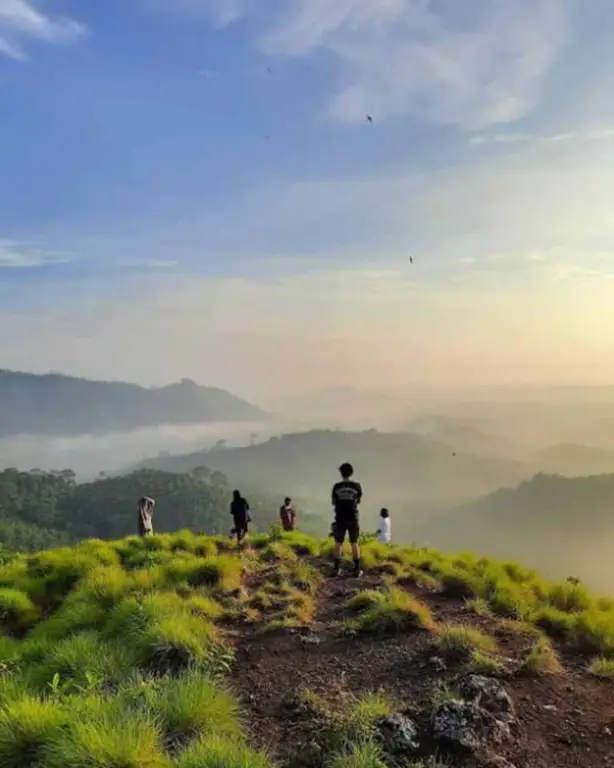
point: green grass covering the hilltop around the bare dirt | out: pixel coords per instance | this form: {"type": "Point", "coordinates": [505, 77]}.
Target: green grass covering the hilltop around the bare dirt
{"type": "Point", "coordinates": [115, 654]}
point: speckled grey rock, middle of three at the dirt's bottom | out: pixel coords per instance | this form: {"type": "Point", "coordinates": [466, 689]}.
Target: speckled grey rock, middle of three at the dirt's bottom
{"type": "Point", "coordinates": [464, 725]}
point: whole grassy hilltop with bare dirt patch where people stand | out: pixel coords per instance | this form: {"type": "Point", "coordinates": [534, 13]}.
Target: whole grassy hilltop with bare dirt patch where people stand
{"type": "Point", "coordinates": [177, 650]}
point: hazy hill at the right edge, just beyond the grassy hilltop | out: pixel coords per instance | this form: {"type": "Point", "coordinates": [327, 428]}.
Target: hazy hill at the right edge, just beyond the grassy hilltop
{"type": "Point", "coordinates": [562, 525]}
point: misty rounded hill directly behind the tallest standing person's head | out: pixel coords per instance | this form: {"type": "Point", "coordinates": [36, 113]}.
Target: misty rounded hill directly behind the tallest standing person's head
{"type": "Point", "coordinates": [415, 472]}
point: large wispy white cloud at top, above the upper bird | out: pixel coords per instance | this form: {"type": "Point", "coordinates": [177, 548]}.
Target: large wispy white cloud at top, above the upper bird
{"type": "Point", "coordinates": [472, 64]}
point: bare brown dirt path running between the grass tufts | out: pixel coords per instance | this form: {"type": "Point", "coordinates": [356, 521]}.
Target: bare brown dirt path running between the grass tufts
{"type": "Point", "coordinates": [566, 721]}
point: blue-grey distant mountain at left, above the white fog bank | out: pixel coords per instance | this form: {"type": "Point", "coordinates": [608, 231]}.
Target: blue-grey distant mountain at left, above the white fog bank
{"type": "Point", "coordinates": [53, 404]}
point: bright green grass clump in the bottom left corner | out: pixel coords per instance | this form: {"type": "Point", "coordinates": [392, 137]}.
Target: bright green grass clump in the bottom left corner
{"type": "Point", "coordinates": [28, 726]}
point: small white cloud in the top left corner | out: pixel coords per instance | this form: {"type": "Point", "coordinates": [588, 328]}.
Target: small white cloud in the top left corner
{"type": "Point", "coordinates": [21, 21]}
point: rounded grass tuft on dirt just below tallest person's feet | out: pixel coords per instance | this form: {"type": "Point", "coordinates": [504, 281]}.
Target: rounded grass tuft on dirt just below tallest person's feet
{"type": "Point", "coordinates": [389, 610]}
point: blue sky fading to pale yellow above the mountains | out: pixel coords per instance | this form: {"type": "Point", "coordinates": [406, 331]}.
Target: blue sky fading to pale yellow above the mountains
{"type": "Point", "coordinates": [231, 191]}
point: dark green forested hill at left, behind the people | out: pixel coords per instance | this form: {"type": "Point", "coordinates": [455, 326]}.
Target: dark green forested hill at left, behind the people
{"type": "Point", "coordinates": [39, 510]}
